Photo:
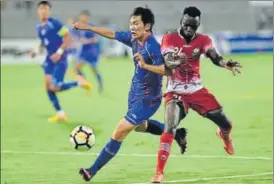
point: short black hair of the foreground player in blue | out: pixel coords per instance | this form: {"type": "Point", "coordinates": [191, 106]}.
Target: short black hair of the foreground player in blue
{"type": "Point", "coordinates": [146, 15]}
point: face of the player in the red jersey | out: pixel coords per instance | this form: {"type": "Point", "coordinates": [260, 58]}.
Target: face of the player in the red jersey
{"type": "Point", "coordinates": [190, 25]}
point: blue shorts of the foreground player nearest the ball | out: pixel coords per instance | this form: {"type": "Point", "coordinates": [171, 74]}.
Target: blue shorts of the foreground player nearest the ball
{"type": "Point", "coordinates": [141, 110]}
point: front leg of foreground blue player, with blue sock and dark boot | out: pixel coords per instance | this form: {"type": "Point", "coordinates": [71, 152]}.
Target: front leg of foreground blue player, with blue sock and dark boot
{"type": "Point", "coordinates": [120, 133]}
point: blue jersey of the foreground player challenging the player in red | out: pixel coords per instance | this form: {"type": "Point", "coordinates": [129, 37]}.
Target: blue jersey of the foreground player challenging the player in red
{"type": "Point", "coordinates": [144, 83]}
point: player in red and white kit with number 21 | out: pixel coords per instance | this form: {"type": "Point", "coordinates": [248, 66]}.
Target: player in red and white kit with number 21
{"type": "Point", "coordinates": [182, 50]}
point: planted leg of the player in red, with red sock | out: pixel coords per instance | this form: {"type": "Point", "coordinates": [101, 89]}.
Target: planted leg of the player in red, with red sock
{"type": "Point", "coordinates": [173, 114]}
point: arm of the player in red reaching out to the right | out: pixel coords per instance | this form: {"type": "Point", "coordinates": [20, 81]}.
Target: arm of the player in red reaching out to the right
{"type": "Point", "coordinates": [220, 61]}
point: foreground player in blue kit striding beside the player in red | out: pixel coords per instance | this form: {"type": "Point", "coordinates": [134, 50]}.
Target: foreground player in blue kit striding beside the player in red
{"type": "Point", "coordinates": [145, 93]}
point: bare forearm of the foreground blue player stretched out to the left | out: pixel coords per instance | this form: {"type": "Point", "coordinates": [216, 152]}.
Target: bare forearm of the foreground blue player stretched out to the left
{"type": "Point", "coordinates": [105, 32]}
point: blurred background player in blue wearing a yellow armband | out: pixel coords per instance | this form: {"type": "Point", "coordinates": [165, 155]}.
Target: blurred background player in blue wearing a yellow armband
{"type": "Point", "coordinates": [54, 38]}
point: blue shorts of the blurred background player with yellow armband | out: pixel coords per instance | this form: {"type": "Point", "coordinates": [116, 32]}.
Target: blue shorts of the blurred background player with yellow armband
{"type": "Point", "coordinates": [56, 70]}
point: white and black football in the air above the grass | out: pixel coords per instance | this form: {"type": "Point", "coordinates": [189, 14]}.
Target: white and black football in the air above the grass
{"type": "Point", "coordinates": [82, 138]}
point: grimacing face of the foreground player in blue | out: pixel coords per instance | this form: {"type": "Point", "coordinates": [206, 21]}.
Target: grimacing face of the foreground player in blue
{"type": "Point", "coordinates": [137, 27]}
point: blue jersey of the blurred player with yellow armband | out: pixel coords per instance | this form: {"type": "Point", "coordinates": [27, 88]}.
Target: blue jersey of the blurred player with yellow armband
{"type": "Point", "coordinates": [51, 36]}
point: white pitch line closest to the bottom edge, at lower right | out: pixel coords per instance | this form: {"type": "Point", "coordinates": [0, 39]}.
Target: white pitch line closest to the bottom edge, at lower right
{"type": "Point", "coordinates": [213, 178]}
